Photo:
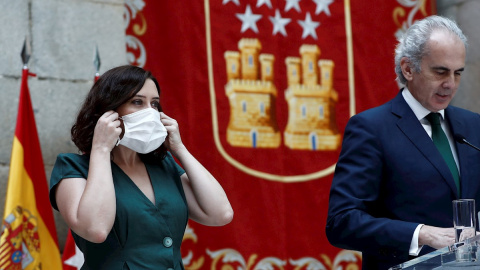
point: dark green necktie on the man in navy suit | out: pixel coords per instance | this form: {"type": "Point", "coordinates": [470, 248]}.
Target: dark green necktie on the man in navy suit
{"type": "Point", "coordinates": [441, 142]}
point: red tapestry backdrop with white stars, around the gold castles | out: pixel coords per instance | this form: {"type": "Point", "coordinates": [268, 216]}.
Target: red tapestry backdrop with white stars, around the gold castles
{"type": "Point", "coordinates": [279, 194]}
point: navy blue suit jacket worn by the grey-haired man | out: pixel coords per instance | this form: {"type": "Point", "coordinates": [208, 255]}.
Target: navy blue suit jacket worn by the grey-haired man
{"type": "Point", "coordinates": [390, 177]}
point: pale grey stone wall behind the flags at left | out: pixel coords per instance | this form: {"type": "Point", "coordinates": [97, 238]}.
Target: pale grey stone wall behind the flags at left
{"type": "Point", "coordinates": [63, 35]}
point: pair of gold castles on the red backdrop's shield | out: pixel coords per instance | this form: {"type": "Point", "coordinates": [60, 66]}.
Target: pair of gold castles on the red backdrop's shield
{"type": "Point", "coordinates": [311, 106]}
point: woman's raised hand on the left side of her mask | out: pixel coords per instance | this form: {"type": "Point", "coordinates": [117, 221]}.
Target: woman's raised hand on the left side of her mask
{"type": "Point", "coordinates": [107, 131]}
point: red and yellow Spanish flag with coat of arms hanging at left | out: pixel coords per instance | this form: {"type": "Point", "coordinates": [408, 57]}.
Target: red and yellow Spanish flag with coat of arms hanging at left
{"type": "Point", "coordinates": [28, 237]}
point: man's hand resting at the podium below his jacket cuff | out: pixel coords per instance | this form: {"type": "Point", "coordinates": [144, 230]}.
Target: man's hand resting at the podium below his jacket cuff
{"type": "Point", "coordinates": [436, 237]}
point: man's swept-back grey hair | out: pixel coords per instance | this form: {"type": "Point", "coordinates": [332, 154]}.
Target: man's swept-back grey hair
{"type": "Point", "coordinates": [412, 43]}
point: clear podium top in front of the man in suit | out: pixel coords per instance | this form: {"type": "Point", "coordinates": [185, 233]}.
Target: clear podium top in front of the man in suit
{"type": "Point", "coordinates": [446, 258]}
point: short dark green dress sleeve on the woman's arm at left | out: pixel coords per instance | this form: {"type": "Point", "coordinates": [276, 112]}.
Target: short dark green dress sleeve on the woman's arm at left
{"type": "Point", "coordinates": [67, 166]}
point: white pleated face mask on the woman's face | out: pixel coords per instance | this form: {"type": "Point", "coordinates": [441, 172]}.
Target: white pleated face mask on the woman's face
{"type": "Point", "coordinates": [144, 132]}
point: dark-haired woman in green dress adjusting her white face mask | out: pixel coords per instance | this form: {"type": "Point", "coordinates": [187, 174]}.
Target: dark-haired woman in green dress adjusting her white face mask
{"type": "Point", "coordinates": [125, 198]}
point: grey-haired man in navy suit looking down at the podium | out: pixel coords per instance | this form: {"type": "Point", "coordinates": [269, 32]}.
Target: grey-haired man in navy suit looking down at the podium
{"type": "Point", "coordinates": [391, 195]}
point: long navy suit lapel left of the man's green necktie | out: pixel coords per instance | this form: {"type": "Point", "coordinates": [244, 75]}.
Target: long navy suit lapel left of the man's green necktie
{"type": "Point", "coordinates": [413, 129]}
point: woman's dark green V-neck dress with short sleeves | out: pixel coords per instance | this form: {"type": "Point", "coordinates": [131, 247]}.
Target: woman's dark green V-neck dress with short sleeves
{"type": "Point", "coordinates": [144, 235]}
